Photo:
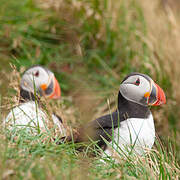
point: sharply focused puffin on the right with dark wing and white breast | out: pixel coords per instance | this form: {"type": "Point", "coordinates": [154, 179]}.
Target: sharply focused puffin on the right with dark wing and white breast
{"type": "Point", "coordinates": [131, 127]}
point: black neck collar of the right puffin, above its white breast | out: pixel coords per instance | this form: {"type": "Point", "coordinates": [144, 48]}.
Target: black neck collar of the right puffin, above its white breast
{"type": "Point", "coordinates": [130, 109]}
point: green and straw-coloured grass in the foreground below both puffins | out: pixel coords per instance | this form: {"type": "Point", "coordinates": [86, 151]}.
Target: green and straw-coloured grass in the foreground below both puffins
{"type": "Point", "coordinates": [31, 158]}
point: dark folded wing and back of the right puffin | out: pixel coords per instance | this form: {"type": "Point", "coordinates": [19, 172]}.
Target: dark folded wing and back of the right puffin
{"type": "Point", "coordinates": [97, 130]}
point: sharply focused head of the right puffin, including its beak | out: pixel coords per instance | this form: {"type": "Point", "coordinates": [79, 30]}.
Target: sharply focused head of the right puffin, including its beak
{"type": "Point", "coordinates": [141, 89]}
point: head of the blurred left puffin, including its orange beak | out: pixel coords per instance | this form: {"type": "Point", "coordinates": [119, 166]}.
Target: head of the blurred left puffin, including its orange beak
{"type": "Point", "coordinates": [42, 81]}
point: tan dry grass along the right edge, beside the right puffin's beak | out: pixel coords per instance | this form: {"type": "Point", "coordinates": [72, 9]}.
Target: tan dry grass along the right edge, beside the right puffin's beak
{"type": "Point", "coordinates": [163, 27]}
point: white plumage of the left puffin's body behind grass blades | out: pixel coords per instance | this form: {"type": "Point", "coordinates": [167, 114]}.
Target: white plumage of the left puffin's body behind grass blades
{"type": "Point", "coordinates": [30, 117]}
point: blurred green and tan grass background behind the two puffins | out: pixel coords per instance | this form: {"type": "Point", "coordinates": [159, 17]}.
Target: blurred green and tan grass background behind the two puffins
{"type": "Point", "coordinates": [91, 45]}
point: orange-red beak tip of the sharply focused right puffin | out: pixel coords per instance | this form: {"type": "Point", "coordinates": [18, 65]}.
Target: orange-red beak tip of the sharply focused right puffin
{"type": "Point", "coordinates": [160, 96]}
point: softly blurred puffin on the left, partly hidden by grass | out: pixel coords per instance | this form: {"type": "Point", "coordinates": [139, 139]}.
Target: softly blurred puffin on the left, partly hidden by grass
{"type": "Point", "coordinates": [36, 81]}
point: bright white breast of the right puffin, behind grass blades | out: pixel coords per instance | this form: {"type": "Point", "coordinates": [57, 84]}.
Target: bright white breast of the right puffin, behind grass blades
{"type": "Point", "coordinates": [134, 135]}
